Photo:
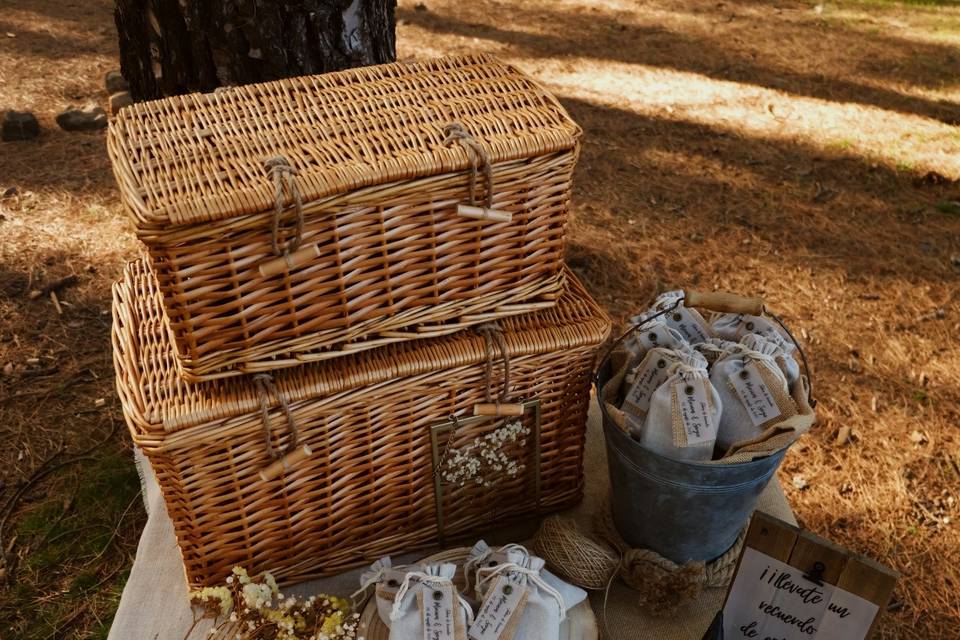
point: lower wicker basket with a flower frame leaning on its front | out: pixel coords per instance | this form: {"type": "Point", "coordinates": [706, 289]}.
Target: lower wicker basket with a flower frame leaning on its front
{"type": "Point", "coordinates": [230, 454]}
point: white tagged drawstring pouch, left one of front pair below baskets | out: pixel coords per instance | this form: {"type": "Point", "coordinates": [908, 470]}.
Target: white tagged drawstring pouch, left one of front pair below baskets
{"type": "Point", "coordinates": [427, 604]}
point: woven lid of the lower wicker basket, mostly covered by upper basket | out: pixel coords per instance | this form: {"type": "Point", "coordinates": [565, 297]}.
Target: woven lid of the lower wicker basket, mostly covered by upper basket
{"type": "Point", "coordinates": [157, 400]}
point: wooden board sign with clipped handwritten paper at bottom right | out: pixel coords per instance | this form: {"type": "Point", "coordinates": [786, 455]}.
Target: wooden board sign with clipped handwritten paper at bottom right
{"type": "Point", "coordinates": [793, 585]}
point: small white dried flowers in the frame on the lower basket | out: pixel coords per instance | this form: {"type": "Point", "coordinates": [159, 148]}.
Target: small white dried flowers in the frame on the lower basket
{"type": "Point", "coordinates": [486, 458]}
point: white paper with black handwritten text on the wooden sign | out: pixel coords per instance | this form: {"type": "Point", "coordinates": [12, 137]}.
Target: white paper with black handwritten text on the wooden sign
{"type": "Point", "coordinates": [770, 600]}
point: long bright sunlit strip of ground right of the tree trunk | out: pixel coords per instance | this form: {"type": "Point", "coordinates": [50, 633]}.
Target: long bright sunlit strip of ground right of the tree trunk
{"type": "Point", "coordinates": [896, 139]}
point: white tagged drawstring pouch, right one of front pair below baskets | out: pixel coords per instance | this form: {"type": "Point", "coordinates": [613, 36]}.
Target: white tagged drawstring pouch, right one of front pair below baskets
{"type": "Point", "coordinates": [519, 598]}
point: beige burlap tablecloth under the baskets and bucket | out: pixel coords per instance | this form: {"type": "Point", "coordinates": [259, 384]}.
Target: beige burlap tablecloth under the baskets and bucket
{"type": "Point", "coordinates": [155, 605]}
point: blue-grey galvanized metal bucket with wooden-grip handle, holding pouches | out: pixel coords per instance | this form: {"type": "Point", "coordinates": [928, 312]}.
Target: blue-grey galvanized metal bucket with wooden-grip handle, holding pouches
{"type": "Point", "coordinates": [685, 511]}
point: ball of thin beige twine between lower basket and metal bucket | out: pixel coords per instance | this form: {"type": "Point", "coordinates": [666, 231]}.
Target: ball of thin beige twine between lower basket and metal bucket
{"type": "Point", "coordinates": [573, 556]}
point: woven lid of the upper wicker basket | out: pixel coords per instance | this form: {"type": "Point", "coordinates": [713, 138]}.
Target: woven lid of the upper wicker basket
{"type": "Point", "coordinates": [200, 157]}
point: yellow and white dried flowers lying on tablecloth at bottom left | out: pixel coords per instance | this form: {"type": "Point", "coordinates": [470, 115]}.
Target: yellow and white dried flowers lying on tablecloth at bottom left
{"type": "Point", "coordinates": [255, 609]}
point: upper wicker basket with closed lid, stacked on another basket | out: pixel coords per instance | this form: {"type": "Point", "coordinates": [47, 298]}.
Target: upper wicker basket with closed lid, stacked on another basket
{"type": "Point", "coordinates": [385, 245]}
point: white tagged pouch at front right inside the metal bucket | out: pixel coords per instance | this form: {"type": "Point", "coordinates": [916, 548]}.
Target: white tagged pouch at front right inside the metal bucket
{"type": "Point", "coordinates": [754, 391]}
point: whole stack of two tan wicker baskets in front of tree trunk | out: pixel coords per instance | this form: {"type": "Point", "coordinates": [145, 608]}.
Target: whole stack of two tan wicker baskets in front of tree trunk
{"type": "Point", "coordinates": [348, 276]}
